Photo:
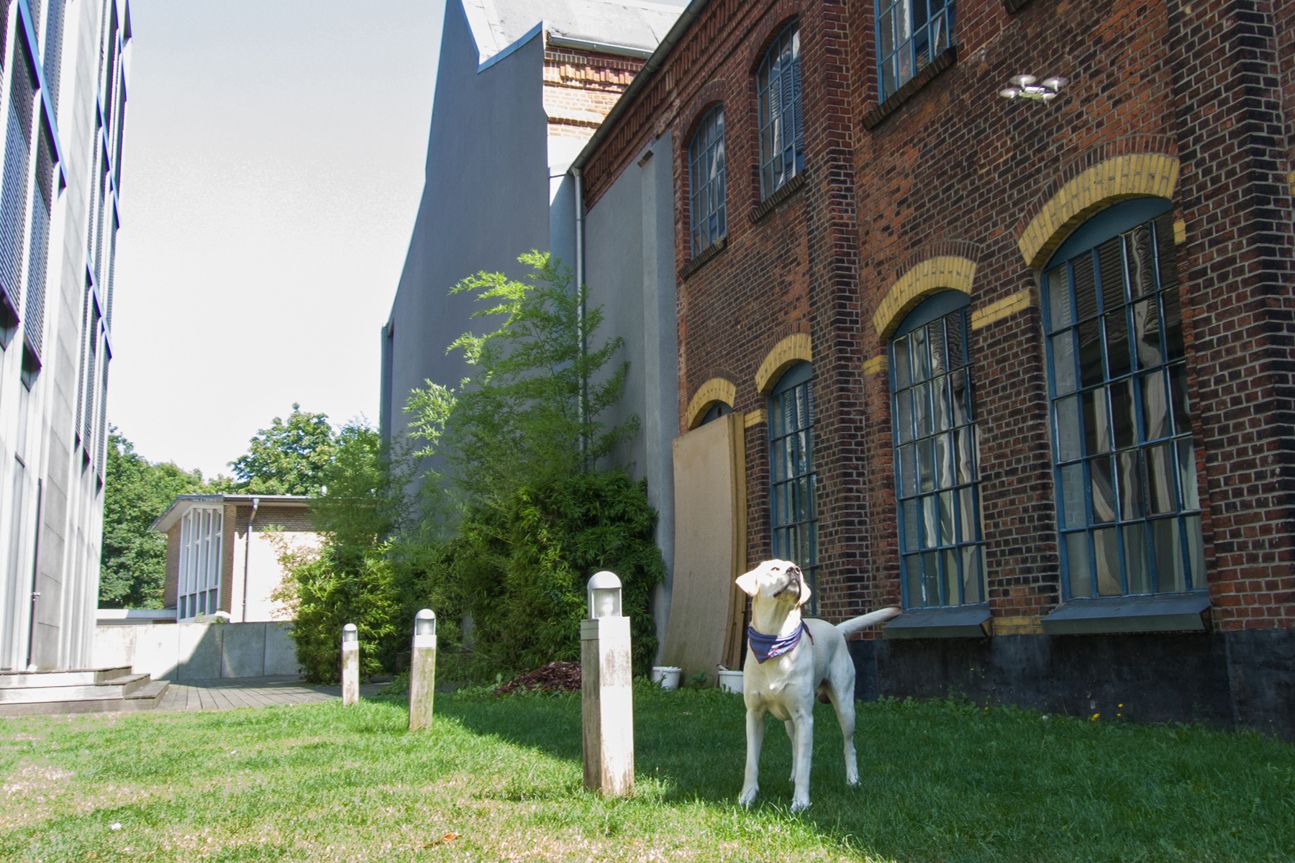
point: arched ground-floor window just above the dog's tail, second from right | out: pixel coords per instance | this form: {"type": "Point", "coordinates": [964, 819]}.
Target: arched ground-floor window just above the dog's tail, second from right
{"type": "Point", "coordinates": [937, 476]}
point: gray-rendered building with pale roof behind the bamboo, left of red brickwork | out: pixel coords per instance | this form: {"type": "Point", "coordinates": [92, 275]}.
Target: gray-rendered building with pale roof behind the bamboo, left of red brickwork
{"type": "Point", "coordinates": [521, 87]}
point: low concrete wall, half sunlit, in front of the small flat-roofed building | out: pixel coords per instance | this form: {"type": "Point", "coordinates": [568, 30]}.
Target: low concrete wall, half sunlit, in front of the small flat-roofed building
{"type": "Point", "coordinates": [197, 651]}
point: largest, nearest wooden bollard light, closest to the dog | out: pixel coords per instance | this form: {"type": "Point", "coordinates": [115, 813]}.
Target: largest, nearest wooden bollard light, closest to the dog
{"type": "Point", "coordinates": [607, 698]}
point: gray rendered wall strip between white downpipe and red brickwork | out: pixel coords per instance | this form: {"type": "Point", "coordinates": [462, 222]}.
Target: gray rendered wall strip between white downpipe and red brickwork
{"type": "Point", "coordinates": [630, 269]}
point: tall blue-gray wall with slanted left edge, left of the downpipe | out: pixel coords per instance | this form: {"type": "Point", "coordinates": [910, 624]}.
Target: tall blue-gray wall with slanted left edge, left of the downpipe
{"type": "Point", "coordinates": [486, 201]}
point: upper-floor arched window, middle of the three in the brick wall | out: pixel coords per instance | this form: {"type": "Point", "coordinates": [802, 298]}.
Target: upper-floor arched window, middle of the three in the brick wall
{"type": "Point", "coordinates": [782, 121]}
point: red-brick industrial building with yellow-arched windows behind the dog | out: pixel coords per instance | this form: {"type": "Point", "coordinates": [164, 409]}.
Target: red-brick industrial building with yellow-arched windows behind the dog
{"type": "Point", "coordinates": [1022, 365]}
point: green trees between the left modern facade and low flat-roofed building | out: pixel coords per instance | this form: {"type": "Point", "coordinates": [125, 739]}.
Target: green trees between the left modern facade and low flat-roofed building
{"type": "Point", "coordinates": [133, 570]}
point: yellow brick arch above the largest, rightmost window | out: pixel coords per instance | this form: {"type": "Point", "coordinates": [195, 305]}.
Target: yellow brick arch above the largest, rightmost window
{"type": "Point", "coordinates": [1094, 190]}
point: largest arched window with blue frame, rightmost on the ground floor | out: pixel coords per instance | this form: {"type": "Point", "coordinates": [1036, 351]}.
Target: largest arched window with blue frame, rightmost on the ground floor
{"type": "Point", "coordinates": [1127, 505]}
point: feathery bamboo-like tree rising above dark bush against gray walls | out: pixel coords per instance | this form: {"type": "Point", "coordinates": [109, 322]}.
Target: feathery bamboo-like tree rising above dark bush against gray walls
{"type": "Point", "coordinates": [530, 408]}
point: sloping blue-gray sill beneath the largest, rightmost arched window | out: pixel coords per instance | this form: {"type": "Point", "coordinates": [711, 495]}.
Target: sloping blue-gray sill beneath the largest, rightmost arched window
{"type": "Point", "coordinates": [1164, 614]}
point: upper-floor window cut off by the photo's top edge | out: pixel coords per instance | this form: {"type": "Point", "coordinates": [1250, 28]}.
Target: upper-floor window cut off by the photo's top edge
{"type": "Point", "coordinates": [910, 55]}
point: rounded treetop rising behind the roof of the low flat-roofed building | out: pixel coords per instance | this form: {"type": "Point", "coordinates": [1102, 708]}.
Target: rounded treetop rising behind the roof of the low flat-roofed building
{"type": "Point", "coordinates": [289, 458]}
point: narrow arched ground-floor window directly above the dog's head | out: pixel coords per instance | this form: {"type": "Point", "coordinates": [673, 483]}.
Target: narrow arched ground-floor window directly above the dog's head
{"type": "Point", "coordinates": [792, 476]}
